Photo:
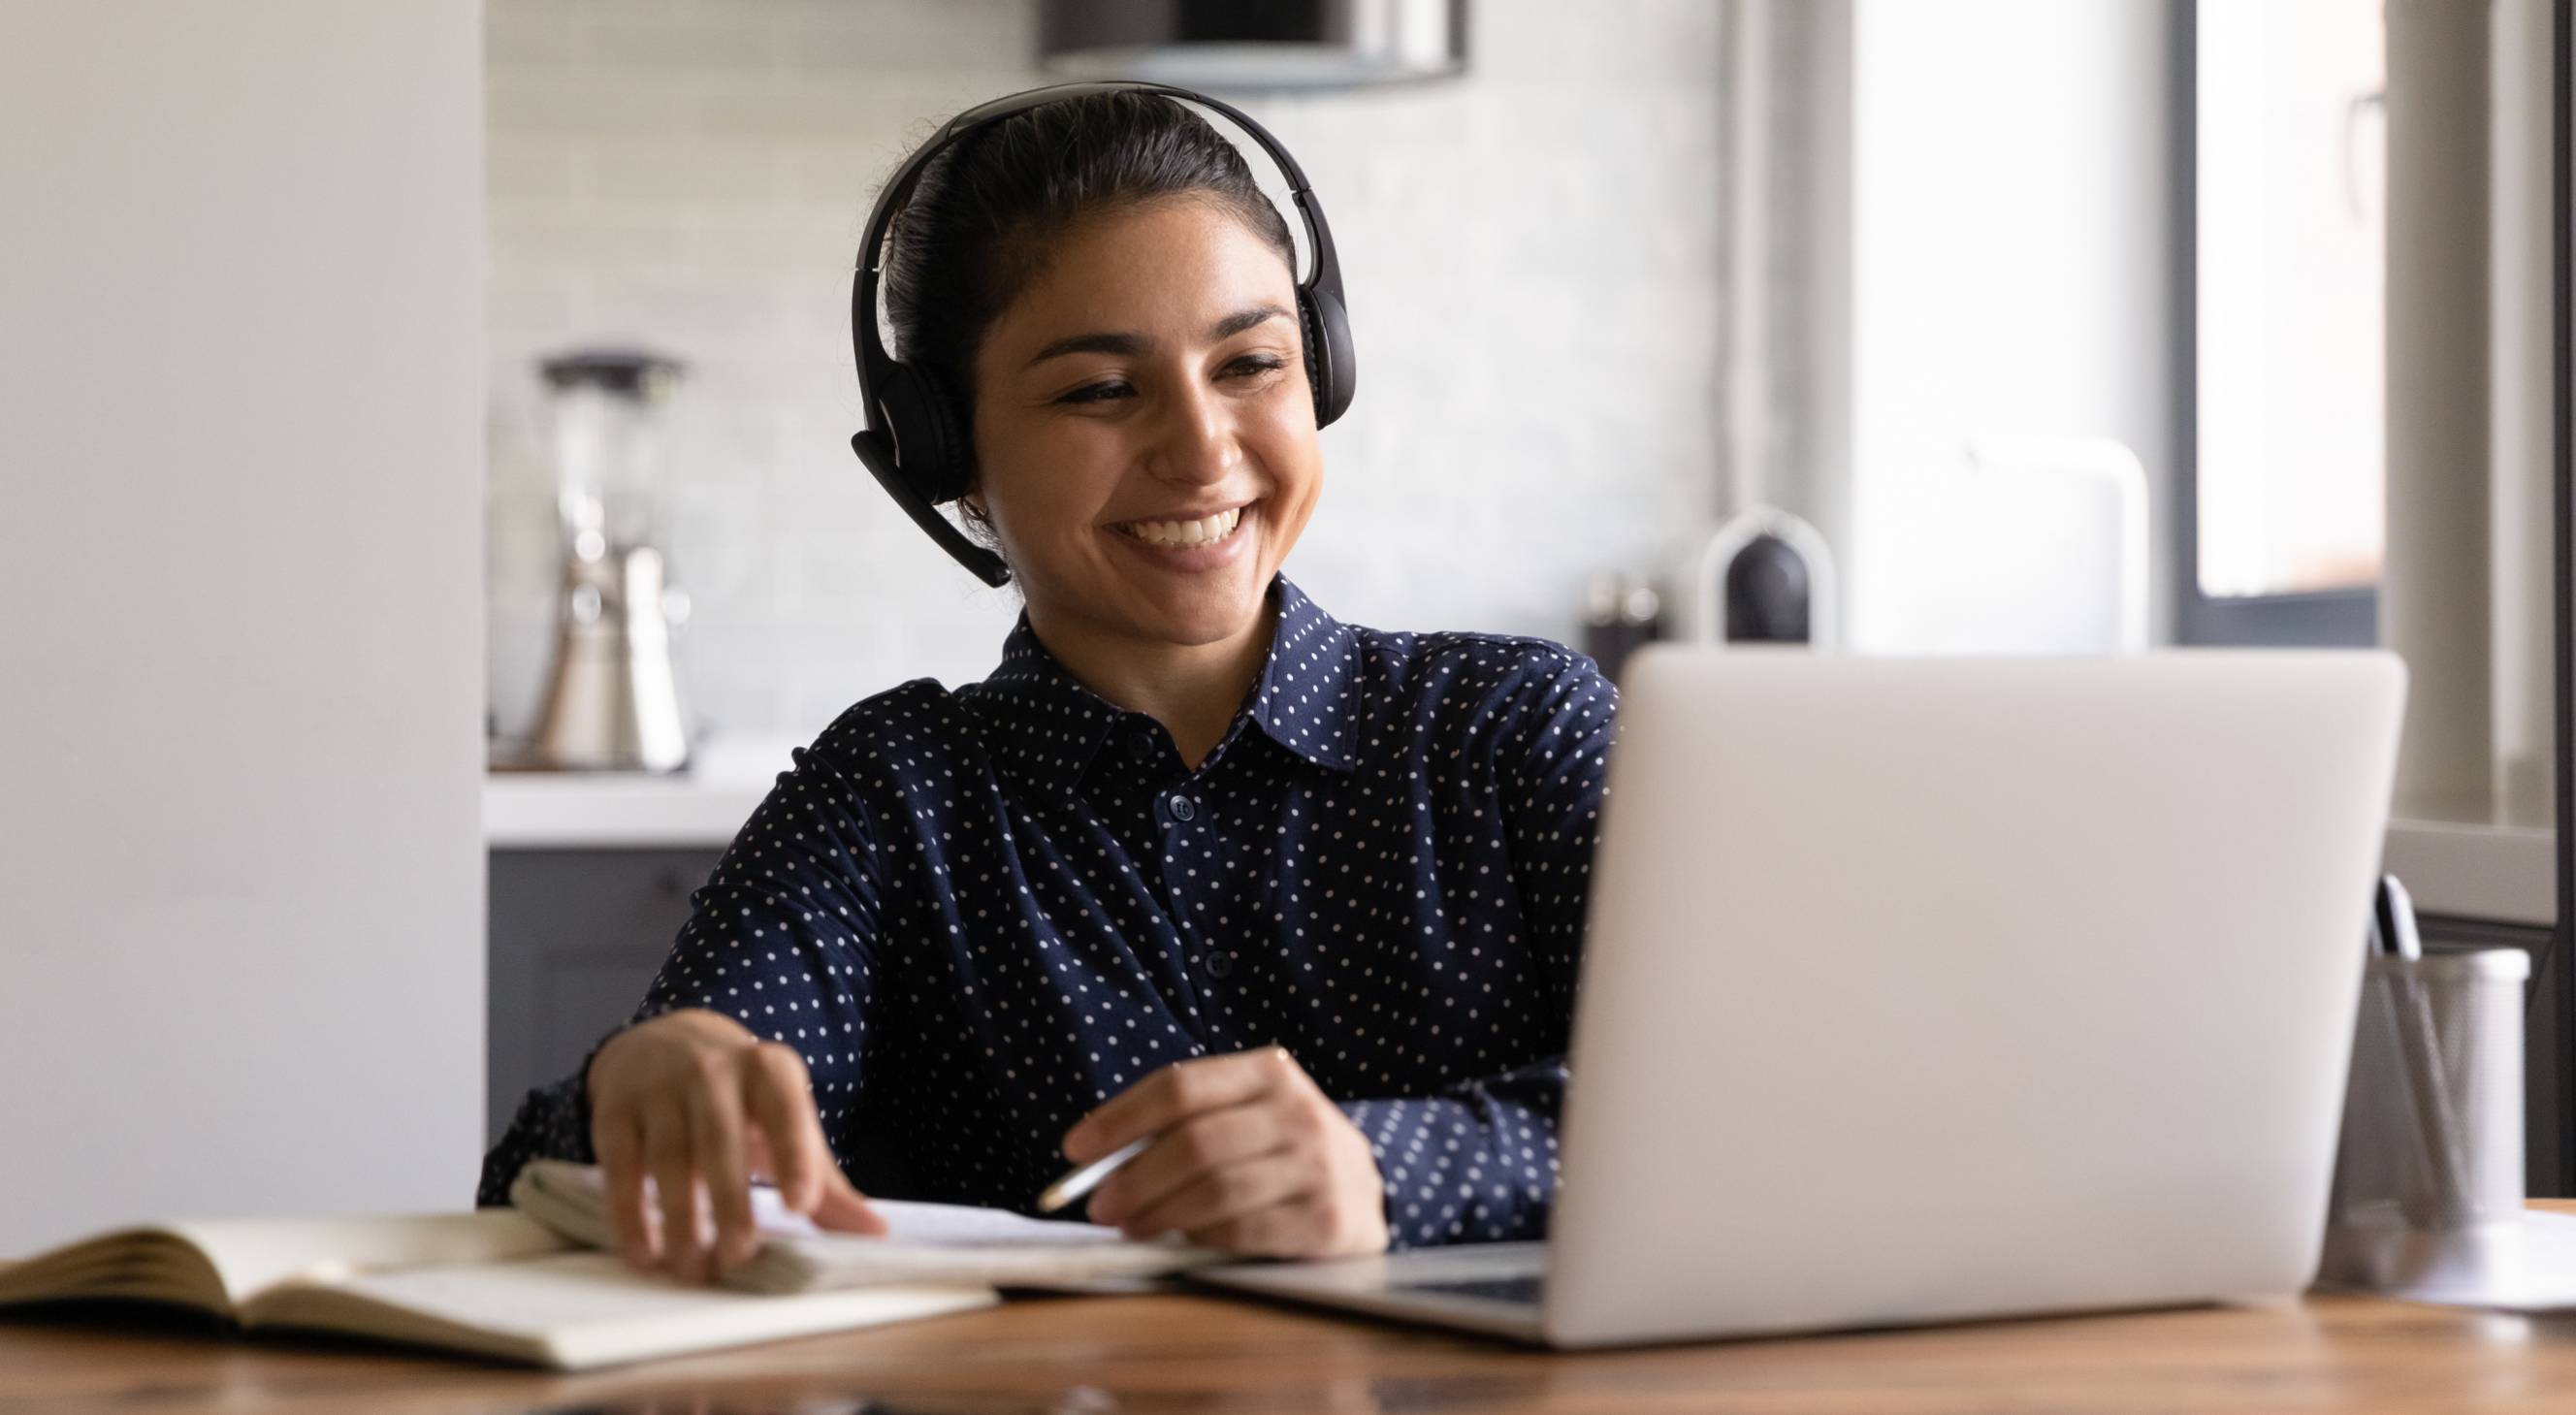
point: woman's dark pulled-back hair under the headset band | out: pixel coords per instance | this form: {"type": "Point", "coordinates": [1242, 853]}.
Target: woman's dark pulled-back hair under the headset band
{"type": "Point", "coordinates": [988, 213]}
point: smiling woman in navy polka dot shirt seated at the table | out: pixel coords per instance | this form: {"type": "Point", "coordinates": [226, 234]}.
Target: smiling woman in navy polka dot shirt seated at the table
{"type": "Point", "coordinates": [1292, 901]}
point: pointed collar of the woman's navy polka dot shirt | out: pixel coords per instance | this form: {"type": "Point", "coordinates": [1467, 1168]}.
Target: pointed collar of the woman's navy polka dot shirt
{"type": "Point", "coordinates": [1047, 728]}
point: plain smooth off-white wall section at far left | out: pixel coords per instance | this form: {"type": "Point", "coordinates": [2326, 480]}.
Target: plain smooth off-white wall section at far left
{"type": "Point", "coordinates": [241, 875]}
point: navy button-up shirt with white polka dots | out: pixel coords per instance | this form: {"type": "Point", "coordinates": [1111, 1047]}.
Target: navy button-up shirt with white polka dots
{"type": "Point", "coordinates": [978, 914]}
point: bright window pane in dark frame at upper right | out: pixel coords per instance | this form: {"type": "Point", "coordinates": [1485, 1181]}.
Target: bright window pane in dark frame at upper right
{"type": "Point", "coordinates": [2284, 259]}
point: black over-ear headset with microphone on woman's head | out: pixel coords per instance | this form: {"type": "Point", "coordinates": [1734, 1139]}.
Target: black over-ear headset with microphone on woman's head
{"type": "Point", "coordinates": [916, 442]}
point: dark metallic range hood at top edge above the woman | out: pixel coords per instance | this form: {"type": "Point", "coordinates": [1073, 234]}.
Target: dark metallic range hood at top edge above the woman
{"type": "Point", "coordinates": [1253, 45]}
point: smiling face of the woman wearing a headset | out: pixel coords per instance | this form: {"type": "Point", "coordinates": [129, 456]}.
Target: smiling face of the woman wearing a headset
{"type": "Point", "coordinates": [1148, 380]}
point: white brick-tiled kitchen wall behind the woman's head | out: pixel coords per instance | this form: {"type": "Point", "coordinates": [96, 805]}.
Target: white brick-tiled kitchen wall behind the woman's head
{"type": "Point", "coordinates": [1531, 259]}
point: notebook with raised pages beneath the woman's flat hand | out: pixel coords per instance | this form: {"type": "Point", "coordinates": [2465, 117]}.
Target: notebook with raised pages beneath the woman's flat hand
{"type": "Point", "coordinates": [926, 1244]}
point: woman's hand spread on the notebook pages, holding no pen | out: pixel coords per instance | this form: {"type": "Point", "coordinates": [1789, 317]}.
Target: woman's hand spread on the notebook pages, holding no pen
{"type": "Point", "coordinates": [705, 1107]}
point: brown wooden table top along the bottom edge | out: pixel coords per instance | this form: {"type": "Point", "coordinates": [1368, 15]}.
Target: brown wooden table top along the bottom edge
{"type": "Point", "coordinates": [1199, 1354]}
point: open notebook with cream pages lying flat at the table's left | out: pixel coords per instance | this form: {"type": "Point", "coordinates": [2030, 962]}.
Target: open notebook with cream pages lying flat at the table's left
{"type": "Point", "coordinates": [491, 1285]}
